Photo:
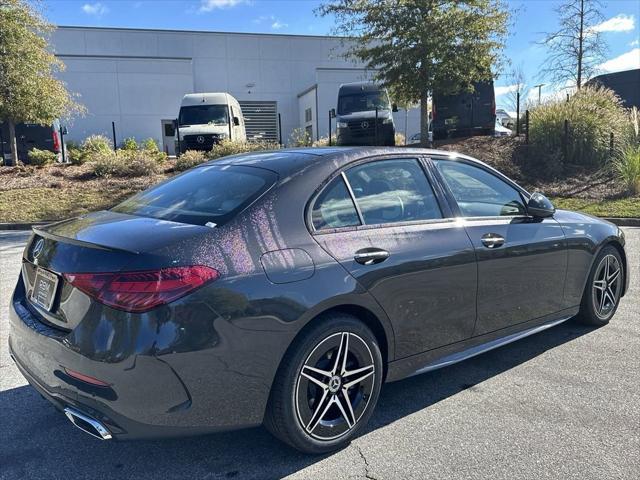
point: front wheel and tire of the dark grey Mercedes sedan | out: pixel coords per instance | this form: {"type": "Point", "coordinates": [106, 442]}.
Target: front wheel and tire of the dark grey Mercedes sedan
{"type": "Point", "coordinates": [604, 288]}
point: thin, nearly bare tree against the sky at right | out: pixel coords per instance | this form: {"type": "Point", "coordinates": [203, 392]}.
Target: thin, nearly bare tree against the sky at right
{"type": "Point", "coordinates": [576, 48]}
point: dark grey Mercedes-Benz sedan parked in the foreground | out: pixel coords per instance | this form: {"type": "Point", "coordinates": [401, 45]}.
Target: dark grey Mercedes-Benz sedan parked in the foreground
{"type": "Point", "coordinates": [284, 288]}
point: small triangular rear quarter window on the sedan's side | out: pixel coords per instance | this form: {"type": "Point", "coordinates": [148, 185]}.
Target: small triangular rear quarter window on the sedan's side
{"type": "Point", "coordinates": [333, 208]}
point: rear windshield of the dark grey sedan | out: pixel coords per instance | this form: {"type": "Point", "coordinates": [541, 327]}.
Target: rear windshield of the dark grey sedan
{"type": "Point", "coordinates": [208, 195]}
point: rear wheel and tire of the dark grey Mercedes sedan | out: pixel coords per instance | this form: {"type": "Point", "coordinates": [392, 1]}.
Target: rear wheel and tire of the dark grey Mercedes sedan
{"type": "Point", "coordinates": [307, 409]}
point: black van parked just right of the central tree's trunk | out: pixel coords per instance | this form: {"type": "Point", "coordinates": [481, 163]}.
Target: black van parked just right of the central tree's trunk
{"type": "Point", "coordinates": [464, 114]}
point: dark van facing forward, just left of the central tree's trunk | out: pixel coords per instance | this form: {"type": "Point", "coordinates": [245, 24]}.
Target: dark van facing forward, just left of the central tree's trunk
{"type": "Point", "coordinates": [364, 115]}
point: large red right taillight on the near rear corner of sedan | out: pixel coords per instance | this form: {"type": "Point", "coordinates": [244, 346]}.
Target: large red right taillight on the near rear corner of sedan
{"type": "Point", "coordinates": [142, 291]}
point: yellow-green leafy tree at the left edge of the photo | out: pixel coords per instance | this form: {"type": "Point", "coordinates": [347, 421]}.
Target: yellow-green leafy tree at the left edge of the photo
{"type": "Point", "coordinates": [29, 90]}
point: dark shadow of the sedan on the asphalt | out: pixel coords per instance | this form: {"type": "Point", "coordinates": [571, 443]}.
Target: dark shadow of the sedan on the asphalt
{"type": "Point", "coordinates": [36, 441]}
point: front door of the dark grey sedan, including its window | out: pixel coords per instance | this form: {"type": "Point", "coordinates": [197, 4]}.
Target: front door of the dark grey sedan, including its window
{"type": "Point", "coordinates": [522, 261]}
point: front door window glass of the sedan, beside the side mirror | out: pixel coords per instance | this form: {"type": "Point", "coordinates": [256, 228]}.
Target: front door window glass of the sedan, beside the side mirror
{"type": "Point", "coordinates": [479, 193]}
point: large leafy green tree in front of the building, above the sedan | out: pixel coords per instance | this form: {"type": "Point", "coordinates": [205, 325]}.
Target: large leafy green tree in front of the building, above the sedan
{"type": "Point", "coordinates": [417, 47]}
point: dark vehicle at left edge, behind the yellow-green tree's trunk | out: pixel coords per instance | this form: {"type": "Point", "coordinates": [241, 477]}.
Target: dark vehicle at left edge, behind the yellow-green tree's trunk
{"type": "Point", "coordinates": [31, 135]}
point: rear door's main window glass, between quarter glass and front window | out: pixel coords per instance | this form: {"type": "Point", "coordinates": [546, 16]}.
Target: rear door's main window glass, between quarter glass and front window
{"type": "Point", "coordinates": [393, 191]}
